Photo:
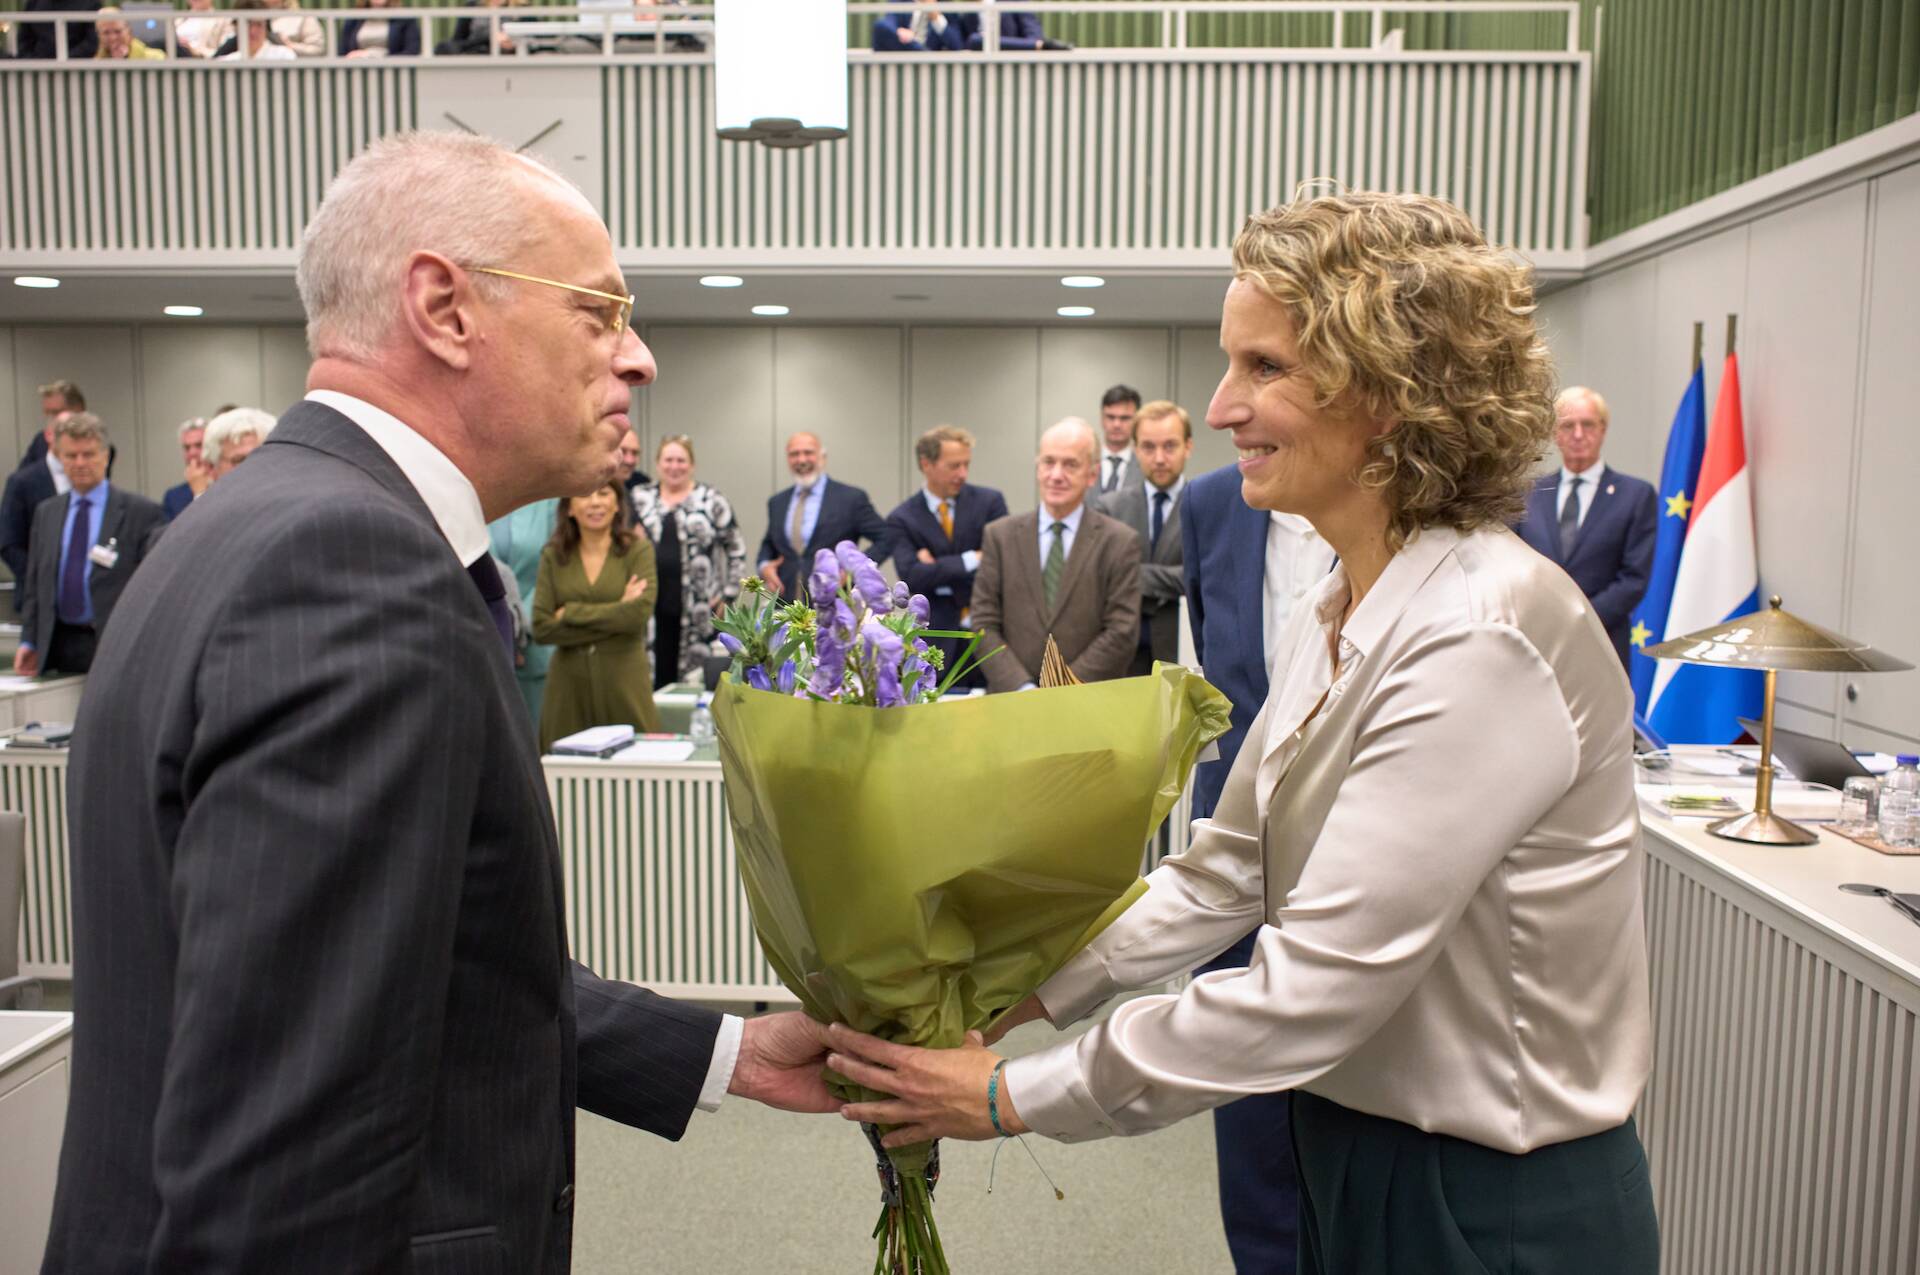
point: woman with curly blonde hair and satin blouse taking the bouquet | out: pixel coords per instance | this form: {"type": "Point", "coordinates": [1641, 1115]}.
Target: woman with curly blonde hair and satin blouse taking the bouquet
{"type": "Point", "coordinates": [1431, 823]}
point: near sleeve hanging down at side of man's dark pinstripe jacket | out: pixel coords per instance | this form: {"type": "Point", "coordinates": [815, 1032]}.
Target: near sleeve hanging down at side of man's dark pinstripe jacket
{"type": "Point", "coordinates": [329, 967]}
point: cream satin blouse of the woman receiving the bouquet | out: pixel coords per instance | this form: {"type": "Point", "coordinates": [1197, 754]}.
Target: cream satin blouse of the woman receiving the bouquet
{"type": "Point", "coordinates": [1445, 867]}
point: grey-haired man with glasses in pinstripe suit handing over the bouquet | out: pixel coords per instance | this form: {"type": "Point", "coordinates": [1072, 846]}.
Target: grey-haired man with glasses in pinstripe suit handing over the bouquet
{"type": "Point", "coordinates": [325, 1019]}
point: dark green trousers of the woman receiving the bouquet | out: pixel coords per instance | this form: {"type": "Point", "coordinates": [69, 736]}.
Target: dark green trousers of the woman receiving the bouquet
{"type": "Point", "coordinates": [1385, 1199]}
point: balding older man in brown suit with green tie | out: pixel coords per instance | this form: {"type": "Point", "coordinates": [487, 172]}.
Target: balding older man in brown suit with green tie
{"type": "Point", "coordinates": [1065, 571]}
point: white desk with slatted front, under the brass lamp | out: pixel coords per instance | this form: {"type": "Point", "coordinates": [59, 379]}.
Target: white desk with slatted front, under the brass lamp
{"type": "Point", "coordinates": [1783, 1120]}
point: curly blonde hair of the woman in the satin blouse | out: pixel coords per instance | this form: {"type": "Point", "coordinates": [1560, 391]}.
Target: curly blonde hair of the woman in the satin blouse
{"type": "Point", "coordinates": [1406, 314]}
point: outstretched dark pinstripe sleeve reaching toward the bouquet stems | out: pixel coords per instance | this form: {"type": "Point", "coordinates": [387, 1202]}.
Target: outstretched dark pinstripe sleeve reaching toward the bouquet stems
{"type": "Point", "coordinates": [642, 1057]}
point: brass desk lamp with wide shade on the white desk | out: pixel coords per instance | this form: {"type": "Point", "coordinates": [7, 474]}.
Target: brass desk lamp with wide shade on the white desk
{"type": "Point", "coordinates": [1771, 640]}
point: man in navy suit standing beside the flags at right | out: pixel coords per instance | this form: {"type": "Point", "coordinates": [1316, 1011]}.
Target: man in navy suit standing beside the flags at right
{"type": "Point", "coordinates": [1595, 521]}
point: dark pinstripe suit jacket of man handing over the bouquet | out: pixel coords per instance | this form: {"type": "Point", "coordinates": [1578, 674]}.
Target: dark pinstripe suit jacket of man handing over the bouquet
{"type": "Point", "coordinates": [325, 1015]}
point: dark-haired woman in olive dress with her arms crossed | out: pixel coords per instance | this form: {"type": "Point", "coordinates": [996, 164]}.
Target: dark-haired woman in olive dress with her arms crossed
{"type": "Point", "coordinates": [596, 594]}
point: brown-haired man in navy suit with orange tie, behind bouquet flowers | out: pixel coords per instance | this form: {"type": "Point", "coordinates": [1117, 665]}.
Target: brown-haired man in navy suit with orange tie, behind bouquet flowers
{"type": "Point", "coordinates": [938, 533]}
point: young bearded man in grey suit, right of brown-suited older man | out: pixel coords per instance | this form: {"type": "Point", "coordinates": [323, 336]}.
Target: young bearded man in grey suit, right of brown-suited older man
{"type": "Point", "coordinates": [1164, 443]}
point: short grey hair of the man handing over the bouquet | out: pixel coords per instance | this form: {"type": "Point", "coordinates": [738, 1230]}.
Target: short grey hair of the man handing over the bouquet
{"type": "Point", "coordinates": [452, 193]}
